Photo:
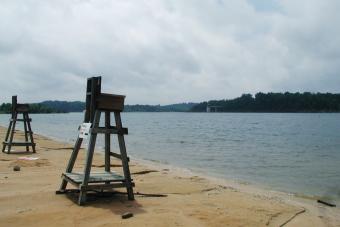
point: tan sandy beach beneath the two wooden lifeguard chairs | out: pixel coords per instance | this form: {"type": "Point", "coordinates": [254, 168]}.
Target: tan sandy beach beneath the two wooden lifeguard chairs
{"type": "Point", "coordinates": [27, 197]}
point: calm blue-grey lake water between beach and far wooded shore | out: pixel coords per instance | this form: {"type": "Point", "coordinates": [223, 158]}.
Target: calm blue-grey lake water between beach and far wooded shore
{"type": "Point", "coordinates": [297, 153]}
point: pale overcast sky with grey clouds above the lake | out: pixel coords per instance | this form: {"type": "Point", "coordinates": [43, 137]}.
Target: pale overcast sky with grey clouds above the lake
{"type": "Point", "coordinates": [162, 51]}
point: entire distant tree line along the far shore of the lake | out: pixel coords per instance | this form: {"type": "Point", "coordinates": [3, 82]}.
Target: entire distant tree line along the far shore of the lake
{"type": "Point", "coordinates": [261, 102]}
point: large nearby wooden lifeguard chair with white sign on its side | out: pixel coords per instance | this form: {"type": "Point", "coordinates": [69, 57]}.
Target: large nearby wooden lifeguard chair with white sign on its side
{"type": "Point", "coordinates": [97, 103]}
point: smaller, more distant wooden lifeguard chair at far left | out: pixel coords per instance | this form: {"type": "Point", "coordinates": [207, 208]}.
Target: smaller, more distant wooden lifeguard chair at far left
{"type": "Point", "coordinates": [29, 141]}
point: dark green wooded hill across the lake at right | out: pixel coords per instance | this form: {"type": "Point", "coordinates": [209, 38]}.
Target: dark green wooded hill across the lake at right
{"type": "Point", "coordinates": [276, 102]}
